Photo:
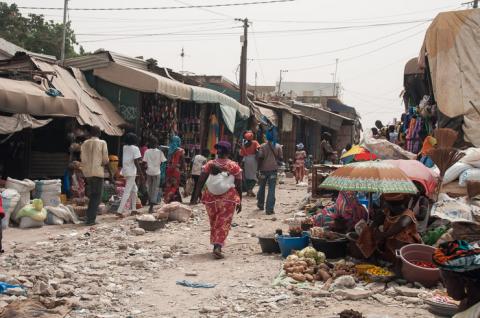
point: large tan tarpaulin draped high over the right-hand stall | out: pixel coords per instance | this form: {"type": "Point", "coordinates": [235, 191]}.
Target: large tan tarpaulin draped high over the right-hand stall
{"type": "Point", "coordinates": [452, 46]}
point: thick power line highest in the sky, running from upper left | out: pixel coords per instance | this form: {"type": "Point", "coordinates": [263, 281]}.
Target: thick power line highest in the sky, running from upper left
{"type": "Point", "coordinates": [162, 8]}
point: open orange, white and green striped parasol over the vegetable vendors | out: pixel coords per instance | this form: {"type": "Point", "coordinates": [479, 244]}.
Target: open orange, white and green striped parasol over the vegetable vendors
{"type": "Point", "coordinates": [369, 176]}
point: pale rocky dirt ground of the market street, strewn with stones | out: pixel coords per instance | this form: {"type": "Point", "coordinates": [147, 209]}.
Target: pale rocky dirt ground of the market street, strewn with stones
{"type": "Point", "coordinates": [114, 270]}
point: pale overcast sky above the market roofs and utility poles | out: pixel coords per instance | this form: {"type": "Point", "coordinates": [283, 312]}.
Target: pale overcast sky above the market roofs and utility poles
{"type": "Point", "coordinates": [372, 39]}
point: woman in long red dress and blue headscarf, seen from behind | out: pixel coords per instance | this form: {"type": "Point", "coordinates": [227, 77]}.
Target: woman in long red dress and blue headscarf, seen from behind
{"type": "Point", "coordinates": [175, 167]}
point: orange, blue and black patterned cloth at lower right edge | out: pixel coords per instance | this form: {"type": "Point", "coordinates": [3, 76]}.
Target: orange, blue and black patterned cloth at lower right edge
{"type": "Point", "coordinates": [457, 256]}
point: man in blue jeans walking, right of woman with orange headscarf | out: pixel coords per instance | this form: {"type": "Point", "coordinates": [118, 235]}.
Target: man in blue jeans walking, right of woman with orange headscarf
{"type": "Point", "coordinates": [270, 156]}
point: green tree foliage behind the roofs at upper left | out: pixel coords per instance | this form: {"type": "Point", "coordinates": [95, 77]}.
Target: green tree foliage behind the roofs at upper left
{"type": "Point", "coordinates": [34, 33]}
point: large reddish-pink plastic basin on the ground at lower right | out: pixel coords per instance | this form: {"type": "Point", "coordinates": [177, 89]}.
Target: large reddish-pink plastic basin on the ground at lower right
{"type": "Point", "coordinates": [428, 277]}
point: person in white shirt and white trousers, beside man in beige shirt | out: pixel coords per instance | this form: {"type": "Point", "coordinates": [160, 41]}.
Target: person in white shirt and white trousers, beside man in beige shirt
{"type": "Point", "coordinates": [130, 167]}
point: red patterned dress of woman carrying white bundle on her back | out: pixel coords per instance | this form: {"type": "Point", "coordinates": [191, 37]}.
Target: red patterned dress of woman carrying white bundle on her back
{"type": "Point", "coordinates": [221, 208]}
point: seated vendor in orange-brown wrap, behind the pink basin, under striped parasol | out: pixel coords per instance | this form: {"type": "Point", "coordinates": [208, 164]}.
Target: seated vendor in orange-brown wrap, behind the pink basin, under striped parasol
{"type": "Point", "coordinates": [399, 229]}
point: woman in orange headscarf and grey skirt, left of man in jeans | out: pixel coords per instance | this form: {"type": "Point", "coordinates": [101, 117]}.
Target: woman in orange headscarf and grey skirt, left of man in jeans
{"type": "Point", "coordinates": [249, 153]}
